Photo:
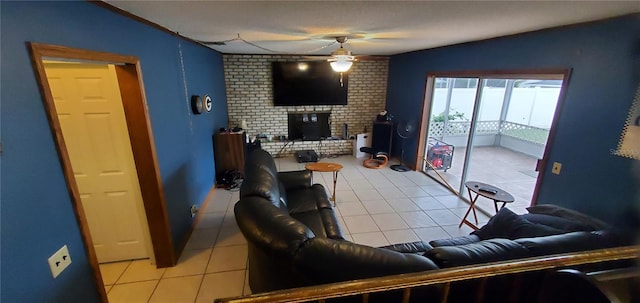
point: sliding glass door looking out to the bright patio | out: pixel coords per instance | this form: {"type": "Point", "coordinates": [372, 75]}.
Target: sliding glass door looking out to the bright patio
{"type": "Point", "coordinates": [489, 129]}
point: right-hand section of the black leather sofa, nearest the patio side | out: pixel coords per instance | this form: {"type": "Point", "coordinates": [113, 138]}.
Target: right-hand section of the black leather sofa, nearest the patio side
{"type": "Point", "coordinates": [509, 236]}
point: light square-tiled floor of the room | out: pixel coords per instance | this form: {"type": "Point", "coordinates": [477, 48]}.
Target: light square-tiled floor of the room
{"type": "Point", "coordinates": [375, 207]}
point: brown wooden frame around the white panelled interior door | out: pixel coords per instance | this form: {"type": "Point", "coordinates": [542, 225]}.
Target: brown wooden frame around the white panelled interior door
{"type": "Point", "coordinates": [129, 76]}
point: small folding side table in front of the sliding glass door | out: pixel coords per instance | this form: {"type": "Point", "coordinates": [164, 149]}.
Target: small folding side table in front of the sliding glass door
{"type": "Point", "coordinates": [488, 191]}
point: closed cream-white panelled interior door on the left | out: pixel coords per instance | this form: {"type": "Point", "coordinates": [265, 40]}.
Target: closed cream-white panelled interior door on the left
{"type": "Point", "coordinates": [89, 107]}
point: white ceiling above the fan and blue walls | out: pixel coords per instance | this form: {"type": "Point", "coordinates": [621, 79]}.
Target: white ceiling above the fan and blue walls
{"type": "Point", "coordinates": [376, 27]}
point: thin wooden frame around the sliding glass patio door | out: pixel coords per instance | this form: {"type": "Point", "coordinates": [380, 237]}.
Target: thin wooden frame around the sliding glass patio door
{"type": "Point", "coordinates": [539, 73]}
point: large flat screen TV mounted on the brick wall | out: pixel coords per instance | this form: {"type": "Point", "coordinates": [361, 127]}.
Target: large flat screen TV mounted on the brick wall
{"type": "Point", "coordinates": [307, 83]}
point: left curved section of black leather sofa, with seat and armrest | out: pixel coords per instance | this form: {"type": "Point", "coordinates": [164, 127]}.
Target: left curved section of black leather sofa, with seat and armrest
{"type": "Point", "coordinates": [294, 238]}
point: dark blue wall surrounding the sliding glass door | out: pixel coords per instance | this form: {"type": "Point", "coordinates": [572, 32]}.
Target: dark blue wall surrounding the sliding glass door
{"type": "Point", "coordinates": [605, 60]}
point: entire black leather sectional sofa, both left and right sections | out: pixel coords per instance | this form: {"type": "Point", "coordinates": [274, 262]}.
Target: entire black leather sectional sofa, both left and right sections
{"type": "Point", "coordinates": [294, 238]}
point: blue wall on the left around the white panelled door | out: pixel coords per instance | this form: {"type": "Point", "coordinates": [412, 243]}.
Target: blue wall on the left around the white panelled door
{"type": "Point", "coordinates": [36, 215]}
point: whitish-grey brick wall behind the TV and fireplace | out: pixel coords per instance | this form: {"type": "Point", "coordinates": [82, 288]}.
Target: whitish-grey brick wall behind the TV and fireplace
{"type": "Point", "coordinates": [249, 97]}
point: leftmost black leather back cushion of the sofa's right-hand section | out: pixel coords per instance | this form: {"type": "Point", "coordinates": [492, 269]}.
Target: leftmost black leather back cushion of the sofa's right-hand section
{"type": "Point", "coordinates": [492, 250]}
